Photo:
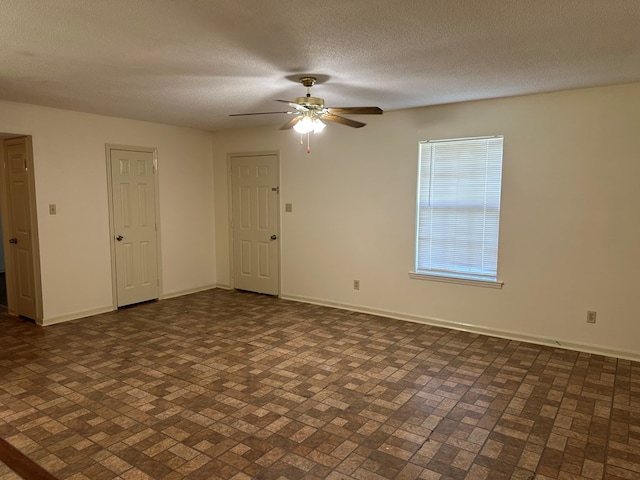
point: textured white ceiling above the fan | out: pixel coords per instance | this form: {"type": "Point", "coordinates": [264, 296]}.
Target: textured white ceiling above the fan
{"type": "Point", "coordinates": [193, 62]}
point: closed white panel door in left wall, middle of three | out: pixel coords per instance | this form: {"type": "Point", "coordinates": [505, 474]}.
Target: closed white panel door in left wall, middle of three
{"type": "Point", "coordinates": [134, 221]}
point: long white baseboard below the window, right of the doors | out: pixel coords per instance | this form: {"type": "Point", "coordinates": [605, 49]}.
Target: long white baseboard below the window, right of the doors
{"type": "Point", "coordinates": [466, 327]}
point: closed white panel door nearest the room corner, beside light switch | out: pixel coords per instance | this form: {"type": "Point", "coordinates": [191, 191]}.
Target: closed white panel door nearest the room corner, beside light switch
{"type": "Point", "coordinates": [254, 219]}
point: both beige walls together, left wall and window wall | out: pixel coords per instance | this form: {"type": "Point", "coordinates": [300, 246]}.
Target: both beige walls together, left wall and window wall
{"type": "Point", "coordinates": [569, 229]}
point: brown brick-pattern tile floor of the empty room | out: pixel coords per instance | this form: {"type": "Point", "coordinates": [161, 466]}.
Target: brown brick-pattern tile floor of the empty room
{"type": "Point", "coordinates": [231, 385]}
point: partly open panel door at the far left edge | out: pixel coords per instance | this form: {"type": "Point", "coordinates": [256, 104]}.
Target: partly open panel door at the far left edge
{"type": "Point", "coordinates": [21, 246]}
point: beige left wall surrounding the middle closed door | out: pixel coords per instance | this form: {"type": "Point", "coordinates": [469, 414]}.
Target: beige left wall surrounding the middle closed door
{"type": "Point", "coordinates": [70, 171]}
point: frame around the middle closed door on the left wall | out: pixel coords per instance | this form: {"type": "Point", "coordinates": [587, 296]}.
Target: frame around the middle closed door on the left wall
{"type": "Point", "coordinates": [112, 230]}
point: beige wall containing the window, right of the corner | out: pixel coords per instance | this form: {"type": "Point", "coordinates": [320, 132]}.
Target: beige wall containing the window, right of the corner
{"type": "Point", "coordinates": [570, 227]}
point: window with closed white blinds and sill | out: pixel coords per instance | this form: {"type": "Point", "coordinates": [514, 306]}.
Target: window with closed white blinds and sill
{"type": "Point", "coordinates": [458, 210]}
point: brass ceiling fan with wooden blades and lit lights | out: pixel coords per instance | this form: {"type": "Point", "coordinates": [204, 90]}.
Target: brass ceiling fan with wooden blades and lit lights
{"type": "Point", "coordinates": [310, 111]}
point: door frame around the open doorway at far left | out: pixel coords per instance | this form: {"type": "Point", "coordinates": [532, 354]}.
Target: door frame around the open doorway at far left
{"type": "Point", "coordinates": [7, 228]}
